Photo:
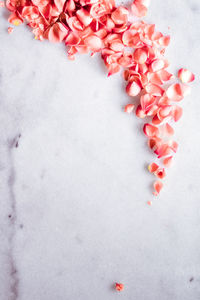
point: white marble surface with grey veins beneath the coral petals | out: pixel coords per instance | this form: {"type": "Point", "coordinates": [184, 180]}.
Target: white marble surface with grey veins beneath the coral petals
{"type": "Point", "coordinates": [73, 213]}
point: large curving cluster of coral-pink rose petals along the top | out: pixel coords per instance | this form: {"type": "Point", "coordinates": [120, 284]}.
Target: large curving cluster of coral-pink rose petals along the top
{"type": "Point", "coordinates": [137, 48]}
